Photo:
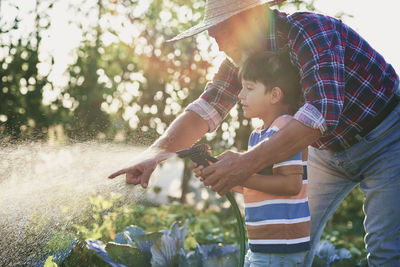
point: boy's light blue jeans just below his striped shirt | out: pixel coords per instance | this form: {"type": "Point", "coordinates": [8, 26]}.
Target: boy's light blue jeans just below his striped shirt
{"type": "Point", "coordinates": [256, 259]}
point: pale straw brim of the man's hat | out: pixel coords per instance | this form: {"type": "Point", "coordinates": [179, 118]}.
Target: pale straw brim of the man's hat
{"type": "Point", "coordinates": [204, 25]}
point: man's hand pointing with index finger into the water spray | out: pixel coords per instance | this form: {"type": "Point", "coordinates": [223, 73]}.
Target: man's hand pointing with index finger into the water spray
{"type": "Point", "coordinates": [138, 173]}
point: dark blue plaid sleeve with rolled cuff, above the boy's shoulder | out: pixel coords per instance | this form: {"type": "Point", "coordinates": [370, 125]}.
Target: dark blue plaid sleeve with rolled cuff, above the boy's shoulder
{"type": "Point", "coordinates": [316, 48]}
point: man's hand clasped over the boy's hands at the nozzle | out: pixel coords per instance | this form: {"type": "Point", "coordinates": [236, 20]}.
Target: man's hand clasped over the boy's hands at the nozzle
{"type": "Point", "coordinates": [225, 174]}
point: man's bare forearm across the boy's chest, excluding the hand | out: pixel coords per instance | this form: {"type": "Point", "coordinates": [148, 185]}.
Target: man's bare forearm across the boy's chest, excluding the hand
{"type": "Point", "coordinates": [286, 142]}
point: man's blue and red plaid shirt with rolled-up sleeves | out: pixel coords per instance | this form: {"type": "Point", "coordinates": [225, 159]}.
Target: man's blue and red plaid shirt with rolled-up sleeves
{"type": "Point", "coordinates": [345, 81]}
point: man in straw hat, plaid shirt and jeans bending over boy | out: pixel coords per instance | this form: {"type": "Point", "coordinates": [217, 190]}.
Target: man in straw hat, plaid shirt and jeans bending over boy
{"type": "Point", "coordinates": [350, 117]}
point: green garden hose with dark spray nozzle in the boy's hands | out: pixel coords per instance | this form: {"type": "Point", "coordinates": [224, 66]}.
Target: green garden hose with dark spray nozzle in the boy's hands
{"type": "Point", "coordinates": [201, 155]}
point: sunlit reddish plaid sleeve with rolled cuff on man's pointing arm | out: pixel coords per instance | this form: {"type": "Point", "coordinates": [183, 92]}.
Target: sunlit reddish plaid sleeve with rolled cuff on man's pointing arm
{"type": "Point", "coordinates": [219, 96]}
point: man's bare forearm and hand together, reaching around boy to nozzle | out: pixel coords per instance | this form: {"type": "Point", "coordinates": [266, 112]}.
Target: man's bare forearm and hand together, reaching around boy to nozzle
{"type": "Point", "coordinates": [234, 168]}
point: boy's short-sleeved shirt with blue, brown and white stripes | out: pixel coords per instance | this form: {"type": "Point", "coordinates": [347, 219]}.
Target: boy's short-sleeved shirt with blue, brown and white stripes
{"type": "Point", "coordinates": [277, 224]}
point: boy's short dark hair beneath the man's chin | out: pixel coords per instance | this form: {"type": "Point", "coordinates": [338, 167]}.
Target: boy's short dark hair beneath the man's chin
{"type": "Point", "coordinates": [274, 69]}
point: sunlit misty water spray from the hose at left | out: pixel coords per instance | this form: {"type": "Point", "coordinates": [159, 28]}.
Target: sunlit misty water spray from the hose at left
{"type": "Point", "coordinates": [45, 190]}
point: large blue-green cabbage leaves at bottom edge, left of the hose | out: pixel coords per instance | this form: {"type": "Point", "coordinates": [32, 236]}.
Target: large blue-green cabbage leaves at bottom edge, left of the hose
{"type": "Point", "coordinates": [134, 247]}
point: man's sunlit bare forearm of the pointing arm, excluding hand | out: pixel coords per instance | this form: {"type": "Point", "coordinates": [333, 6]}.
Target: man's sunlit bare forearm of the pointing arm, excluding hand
{"type": "Point", "coordinates": [184, 131]}
